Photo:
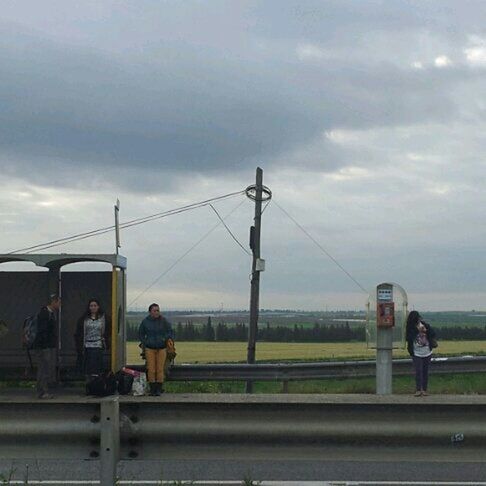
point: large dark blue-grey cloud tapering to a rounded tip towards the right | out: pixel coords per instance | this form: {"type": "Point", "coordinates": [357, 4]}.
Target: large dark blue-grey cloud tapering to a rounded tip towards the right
{"type": "Point", "coordinates": [81, 105]}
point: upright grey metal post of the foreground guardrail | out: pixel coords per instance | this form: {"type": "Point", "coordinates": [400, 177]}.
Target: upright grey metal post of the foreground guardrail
{"type": "Point", "coordinates": [110, 440]}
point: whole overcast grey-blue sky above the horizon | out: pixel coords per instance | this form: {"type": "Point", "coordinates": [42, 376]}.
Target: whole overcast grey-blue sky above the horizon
{"type": "Point", "coordinates": [368, 118]}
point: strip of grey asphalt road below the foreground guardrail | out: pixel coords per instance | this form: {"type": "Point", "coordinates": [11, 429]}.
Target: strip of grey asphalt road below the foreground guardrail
{"type": "Point", "coordinates": [300, 470]}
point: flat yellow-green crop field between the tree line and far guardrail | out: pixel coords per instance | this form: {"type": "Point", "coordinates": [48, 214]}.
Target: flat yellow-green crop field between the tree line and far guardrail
{"type": "Point", "coordinates": [231, 352]}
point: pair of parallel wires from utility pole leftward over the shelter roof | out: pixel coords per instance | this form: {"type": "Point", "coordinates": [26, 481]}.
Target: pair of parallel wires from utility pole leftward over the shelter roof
{"type": "Point", "coordinates": [126, 224]}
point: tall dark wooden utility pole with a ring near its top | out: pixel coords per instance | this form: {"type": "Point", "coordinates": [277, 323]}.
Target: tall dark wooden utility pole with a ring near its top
{"type": "Point", "coordinates": [255, 278]}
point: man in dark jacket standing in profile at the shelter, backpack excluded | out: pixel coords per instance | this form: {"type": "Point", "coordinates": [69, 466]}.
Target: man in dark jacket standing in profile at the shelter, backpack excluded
{"type": "Point", "coordinates": [45, 346]}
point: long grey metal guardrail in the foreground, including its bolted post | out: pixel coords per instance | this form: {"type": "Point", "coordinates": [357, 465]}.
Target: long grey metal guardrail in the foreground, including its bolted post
{"type": "Point", "coordinates": [249, 427]}
